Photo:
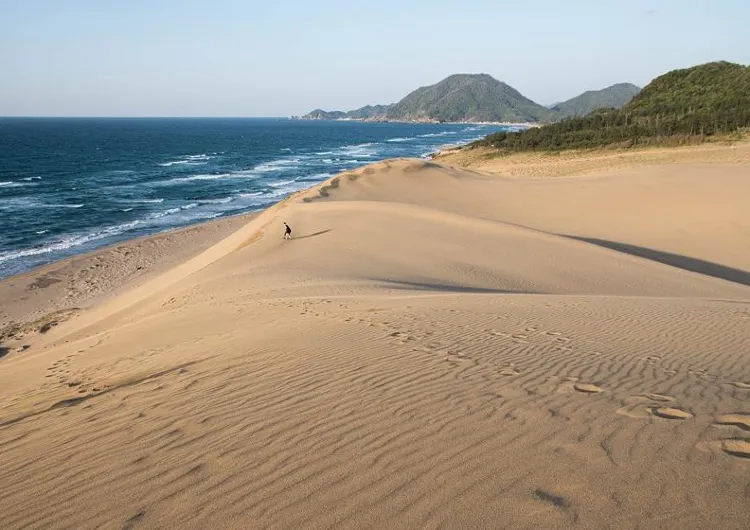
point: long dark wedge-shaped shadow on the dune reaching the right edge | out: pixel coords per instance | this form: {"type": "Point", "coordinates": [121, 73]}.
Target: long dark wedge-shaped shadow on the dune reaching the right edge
{"type": "Point", "coordinates": [675, 260]}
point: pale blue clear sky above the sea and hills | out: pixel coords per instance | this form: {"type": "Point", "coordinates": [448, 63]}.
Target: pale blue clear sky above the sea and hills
{"type": "Point", "coordinates": [287, 57]}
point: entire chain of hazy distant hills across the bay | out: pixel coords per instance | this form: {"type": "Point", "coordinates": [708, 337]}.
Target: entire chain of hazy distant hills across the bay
{"type": "Point", "coordinates": [478, 98]}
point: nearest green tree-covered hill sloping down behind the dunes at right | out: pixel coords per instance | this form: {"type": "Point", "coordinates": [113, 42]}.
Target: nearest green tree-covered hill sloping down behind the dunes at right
{"type": "Point", "coordinates": [686, 105]}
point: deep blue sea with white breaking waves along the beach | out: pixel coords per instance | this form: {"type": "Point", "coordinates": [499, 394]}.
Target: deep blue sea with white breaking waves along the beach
{"type": "Point", "coordinates": [70, 185]}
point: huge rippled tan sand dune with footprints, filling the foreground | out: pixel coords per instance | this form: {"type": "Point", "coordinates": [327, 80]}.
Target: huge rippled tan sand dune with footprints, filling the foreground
{"type": "Point", "coordinates": [437, 347]}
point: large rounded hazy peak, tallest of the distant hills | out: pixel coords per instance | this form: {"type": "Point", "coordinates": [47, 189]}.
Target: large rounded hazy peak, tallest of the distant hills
{"type": "Point", "coordinates": [468, 98]}
